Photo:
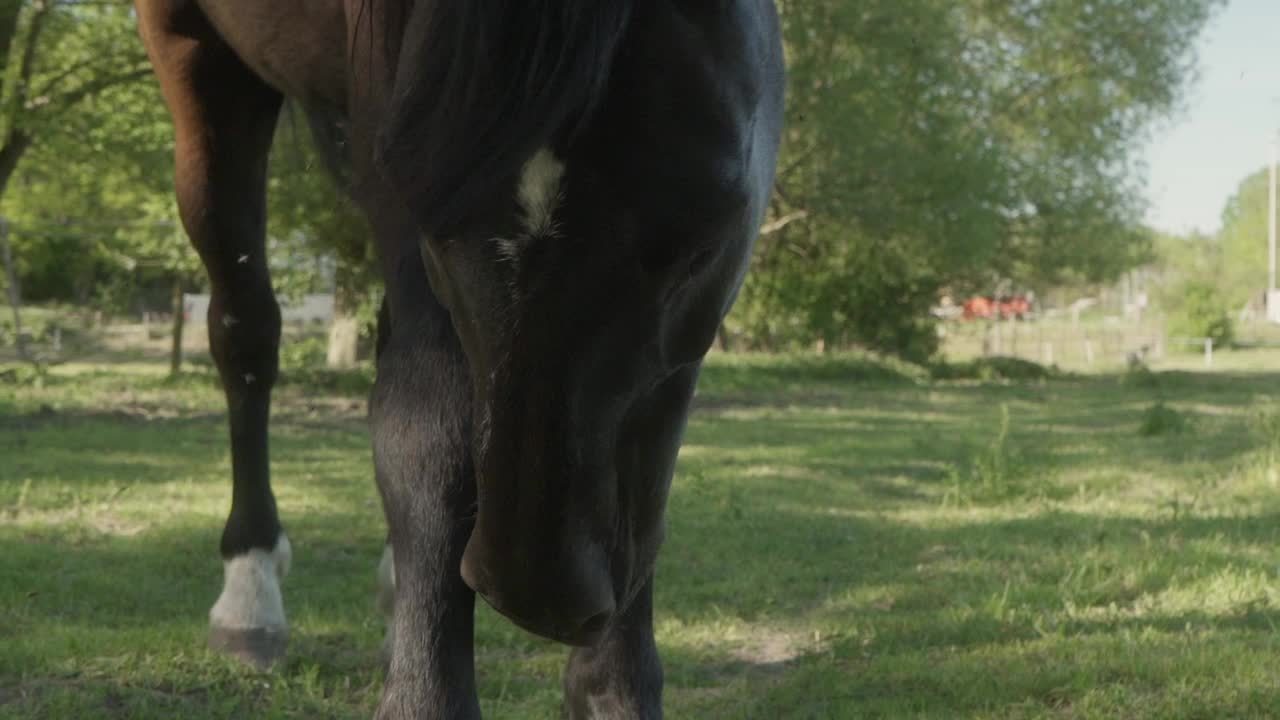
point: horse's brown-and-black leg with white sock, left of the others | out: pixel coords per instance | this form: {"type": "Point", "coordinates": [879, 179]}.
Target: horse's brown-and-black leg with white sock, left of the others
{"type": "Point", "coordinates": [225, 120]}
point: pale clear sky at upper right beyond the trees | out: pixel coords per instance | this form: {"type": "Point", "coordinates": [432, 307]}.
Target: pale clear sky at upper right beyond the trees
{"type": "Point", "coordinates": [1231, 113]}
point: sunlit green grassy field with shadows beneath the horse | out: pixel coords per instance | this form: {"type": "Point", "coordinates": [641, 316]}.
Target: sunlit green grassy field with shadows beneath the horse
{"type": "Point", "coordinates": [847, 540]}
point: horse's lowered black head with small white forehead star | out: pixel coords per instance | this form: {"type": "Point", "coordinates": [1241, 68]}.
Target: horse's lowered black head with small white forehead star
{"type": "Point", "coordinates": [586, 294]}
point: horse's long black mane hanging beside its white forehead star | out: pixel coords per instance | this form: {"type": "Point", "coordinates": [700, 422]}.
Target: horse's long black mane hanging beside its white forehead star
{"type": "Point", "coordinates": [479, 86]}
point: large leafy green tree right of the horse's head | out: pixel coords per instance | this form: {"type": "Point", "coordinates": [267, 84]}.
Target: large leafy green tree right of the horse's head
{"type": "Point", "coordinates": [949, 145]}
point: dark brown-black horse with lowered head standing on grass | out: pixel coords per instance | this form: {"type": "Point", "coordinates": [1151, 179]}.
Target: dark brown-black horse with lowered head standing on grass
{"type": "Point", "coordinates": [564, 197]}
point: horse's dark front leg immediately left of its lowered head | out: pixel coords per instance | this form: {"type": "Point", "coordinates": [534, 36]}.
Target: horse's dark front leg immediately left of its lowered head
{"type": "Point", "coordinates": [420, 423]}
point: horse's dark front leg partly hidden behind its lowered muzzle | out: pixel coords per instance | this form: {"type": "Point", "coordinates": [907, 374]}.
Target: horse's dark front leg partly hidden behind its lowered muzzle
{"type": "Point", "coordinates": [621, 677]}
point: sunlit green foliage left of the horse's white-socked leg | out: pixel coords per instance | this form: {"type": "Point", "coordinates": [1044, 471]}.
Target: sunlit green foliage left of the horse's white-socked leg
{"type": "Point", "coordinates": [94, 185]}
